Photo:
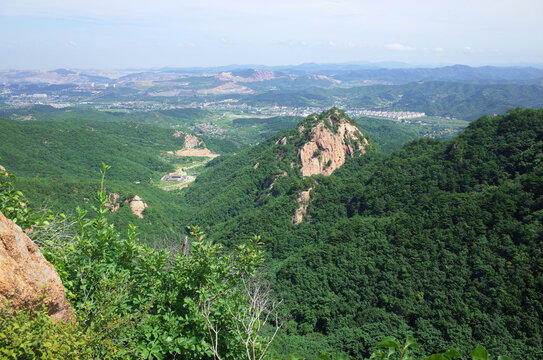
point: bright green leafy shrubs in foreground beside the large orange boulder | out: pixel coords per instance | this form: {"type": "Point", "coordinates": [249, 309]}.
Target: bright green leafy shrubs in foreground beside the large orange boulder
{"type": "Point", "coordinates": [133, 301]}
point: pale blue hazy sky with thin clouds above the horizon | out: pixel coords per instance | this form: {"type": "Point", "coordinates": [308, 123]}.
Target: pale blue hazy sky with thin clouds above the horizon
{"type": "Point", "coordinates": [119, 34]}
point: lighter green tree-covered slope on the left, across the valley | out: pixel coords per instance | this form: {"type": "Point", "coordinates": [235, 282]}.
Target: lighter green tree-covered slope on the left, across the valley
{"type": "Point", "coordinates": [56, 163]}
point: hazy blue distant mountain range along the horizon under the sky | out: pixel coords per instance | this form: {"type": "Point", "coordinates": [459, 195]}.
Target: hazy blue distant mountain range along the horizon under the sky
{"type": "Point", "coordinates": [386, 72]}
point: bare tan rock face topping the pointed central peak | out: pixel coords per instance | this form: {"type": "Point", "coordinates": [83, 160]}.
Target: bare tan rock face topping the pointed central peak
{"type": "Point", "coordinates": [332, 140]}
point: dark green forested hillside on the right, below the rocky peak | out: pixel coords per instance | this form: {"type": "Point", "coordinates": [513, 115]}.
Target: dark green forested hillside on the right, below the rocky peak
{"type": "Point", "coordinates": [439, 239]}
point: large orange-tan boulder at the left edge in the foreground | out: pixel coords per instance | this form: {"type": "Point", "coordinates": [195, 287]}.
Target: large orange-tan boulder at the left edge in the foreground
{"type": "Point", "coordinates": [25, 275]}
